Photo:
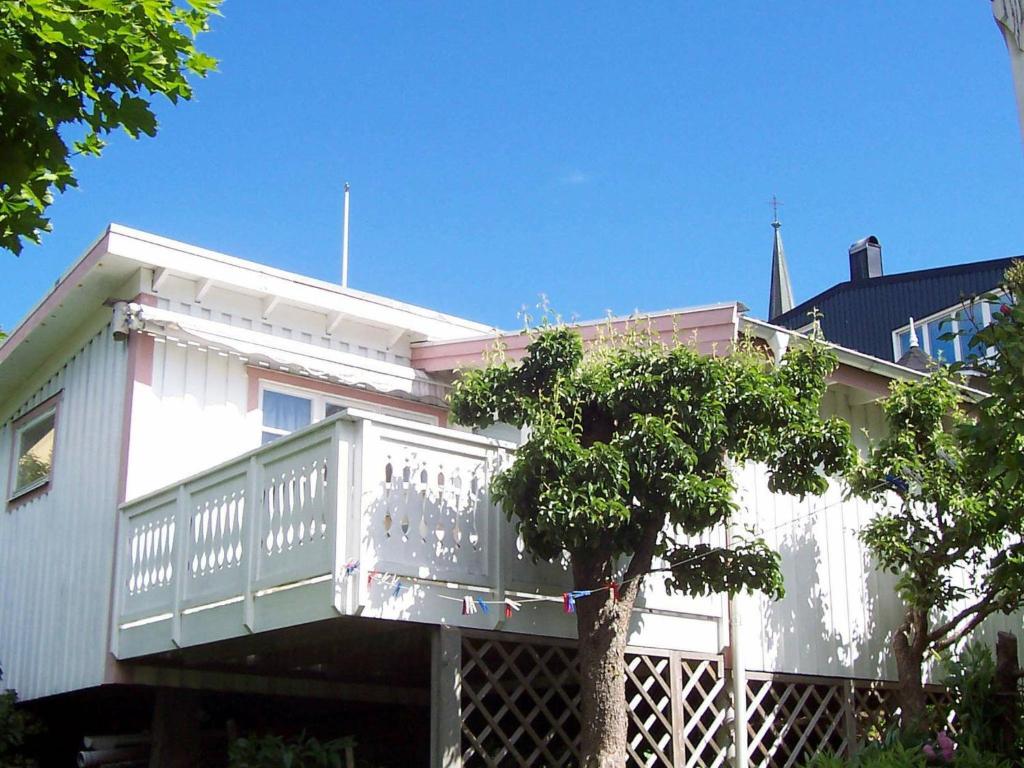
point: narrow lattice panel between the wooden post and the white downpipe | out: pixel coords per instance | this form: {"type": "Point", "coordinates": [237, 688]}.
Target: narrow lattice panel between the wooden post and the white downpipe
{"type": "Point", "coordinates": [704, 707]}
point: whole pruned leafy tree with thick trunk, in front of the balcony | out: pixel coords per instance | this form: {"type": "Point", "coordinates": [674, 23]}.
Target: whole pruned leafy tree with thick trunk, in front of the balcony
{"type": "Point", "coordinates": [630, 452]}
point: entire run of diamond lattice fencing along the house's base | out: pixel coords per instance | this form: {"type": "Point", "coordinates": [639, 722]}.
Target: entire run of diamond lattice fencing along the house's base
{"type": "Point", "coordinates": [521, 707]}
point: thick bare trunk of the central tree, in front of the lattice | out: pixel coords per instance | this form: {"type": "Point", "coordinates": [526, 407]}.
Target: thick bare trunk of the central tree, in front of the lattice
{"type": "Point", "coordinates": [604, 625]}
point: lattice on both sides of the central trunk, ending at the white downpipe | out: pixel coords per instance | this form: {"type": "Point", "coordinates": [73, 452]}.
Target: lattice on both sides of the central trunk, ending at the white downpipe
{"type": "Point", "coordinates": [521, 707]}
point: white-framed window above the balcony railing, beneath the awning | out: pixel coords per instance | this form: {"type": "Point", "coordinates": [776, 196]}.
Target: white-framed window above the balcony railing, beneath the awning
{"type": "Point", "coordinates": [287, 409]}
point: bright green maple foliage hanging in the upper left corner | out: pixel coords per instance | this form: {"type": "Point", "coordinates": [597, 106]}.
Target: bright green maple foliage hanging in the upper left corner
{"type": "Point", "coordinates": [75, 71]}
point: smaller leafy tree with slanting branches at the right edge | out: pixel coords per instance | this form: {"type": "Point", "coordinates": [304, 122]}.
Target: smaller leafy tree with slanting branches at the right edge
{"type": "Point", "coordinates": [953, 530]}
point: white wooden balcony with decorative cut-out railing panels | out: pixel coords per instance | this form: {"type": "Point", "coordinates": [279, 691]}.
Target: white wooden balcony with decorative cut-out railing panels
{"type": "Point", "coordinates": [359, 516]}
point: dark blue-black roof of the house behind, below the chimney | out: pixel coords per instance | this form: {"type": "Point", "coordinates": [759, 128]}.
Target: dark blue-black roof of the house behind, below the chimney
{"type": "Point", "coordinates": [863, 315]}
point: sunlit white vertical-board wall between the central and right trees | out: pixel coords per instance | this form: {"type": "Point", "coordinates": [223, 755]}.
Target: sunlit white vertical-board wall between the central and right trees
{"type": "Point", "coordinates": [838, 611]}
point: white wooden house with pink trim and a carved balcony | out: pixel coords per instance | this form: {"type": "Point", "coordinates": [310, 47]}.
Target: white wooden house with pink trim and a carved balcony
{"type": "Point", "coordinates": [229, 487]}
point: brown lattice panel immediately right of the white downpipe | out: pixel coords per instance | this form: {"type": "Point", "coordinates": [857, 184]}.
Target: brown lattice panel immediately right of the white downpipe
{"type": "Point", "coordinates": [791, 720]}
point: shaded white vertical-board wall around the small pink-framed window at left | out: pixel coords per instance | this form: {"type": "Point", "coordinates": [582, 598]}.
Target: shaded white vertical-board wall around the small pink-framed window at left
{"type": "Point", "coordinates": [57, 550]}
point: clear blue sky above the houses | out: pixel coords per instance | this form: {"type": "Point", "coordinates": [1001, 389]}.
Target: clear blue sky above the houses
{"type": "Point", "coordinates": [614, 158]}
